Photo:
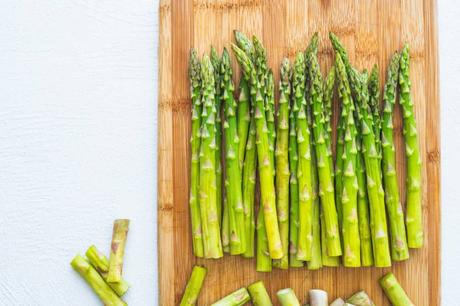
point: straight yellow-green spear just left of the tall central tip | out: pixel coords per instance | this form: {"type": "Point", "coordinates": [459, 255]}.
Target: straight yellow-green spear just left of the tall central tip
{"type": "Point", "coordinates": [304, 167]}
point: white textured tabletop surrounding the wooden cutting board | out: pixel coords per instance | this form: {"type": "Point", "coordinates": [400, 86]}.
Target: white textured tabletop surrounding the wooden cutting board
{"type": "Point", "coordinates": [78, 96]}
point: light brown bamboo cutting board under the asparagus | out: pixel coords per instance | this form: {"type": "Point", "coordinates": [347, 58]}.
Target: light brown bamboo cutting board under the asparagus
{"type": "Point", "coordinates": [371, 30]}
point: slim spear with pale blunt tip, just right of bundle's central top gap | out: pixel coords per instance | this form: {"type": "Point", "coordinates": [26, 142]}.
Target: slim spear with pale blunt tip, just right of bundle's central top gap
{"type": "Point", "coordinates": [282, 163]}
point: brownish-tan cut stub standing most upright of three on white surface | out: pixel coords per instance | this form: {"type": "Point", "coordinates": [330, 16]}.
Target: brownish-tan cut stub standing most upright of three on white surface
{"type": "Point", "coordinates": [117, 250]}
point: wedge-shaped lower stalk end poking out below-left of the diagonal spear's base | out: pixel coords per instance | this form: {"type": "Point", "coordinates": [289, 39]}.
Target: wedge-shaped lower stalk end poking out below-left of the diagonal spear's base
{"type": "Point", "coordinates": [263, 260]}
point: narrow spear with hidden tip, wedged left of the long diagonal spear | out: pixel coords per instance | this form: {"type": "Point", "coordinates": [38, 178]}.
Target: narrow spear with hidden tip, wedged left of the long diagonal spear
{"type": "Point", "coordinates": [249, 185]}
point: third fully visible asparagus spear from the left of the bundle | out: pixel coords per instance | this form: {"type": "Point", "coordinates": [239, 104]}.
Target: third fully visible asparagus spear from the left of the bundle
{"type": "Point", "coordinates": [233, 173]}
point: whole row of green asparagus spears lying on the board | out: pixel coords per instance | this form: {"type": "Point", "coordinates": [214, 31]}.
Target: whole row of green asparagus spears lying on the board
{"type": "Point", "coordinates": [312, 210]}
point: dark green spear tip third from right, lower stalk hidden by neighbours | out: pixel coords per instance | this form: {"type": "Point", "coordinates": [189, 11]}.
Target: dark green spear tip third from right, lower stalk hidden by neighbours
{"type": "Point", "coordinates": [373, 85]}
